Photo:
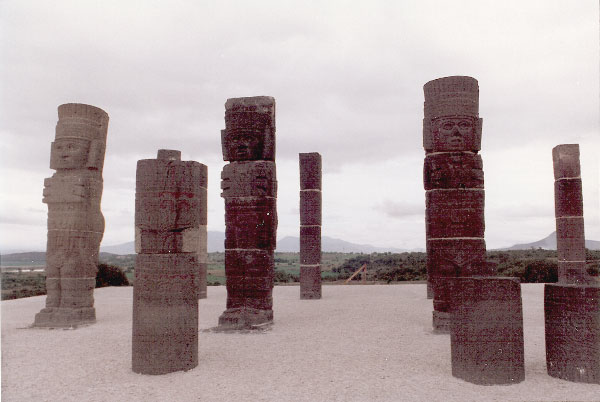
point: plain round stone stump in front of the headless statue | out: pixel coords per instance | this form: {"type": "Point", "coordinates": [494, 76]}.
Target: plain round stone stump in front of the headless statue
{"type": "Point", "coordinates": [165, 313]}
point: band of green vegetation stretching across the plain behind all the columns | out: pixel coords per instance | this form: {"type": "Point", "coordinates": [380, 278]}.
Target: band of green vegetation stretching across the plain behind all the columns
{"type": "Point", "coordinates": [534, 265]}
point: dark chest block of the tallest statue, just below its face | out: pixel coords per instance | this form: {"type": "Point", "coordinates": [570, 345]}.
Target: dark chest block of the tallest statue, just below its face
{"type": "Point", "coordinates": [453, 170]}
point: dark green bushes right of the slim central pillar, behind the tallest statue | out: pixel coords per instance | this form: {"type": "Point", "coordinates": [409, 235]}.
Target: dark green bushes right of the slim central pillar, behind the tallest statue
{"type": "Point", "coordinates": [530, 266]}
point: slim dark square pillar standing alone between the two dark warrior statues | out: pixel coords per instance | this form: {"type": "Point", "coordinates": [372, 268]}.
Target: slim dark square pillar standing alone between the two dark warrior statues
{"type": "Point", "coordinates": [310, 225]}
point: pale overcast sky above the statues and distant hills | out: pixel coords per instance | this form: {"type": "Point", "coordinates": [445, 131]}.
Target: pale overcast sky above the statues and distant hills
{"type": "Point", "coordinates": [347, 77]}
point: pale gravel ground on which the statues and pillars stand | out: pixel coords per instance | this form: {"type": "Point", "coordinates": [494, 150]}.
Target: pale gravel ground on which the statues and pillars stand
{"type": "Point", "coordinates": [358, 343]}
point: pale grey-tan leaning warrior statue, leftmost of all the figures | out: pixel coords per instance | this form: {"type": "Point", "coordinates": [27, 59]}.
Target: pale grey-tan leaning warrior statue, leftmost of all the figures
{"type": "Point", "coordinates": [75, 222]}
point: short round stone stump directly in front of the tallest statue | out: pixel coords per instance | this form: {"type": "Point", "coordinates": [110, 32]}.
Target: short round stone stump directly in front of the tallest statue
{"type": "Point", "coordinates": [487, 330]}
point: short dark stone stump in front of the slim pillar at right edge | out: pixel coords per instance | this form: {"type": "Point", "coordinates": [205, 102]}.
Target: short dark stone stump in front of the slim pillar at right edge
{"type": "Point", "coordinates": [572, 317]}
